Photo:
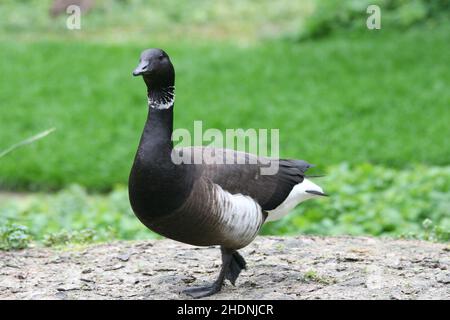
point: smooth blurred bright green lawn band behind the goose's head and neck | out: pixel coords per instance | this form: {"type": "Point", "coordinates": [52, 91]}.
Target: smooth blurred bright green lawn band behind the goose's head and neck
{"type": "Point", "coordinates": [380, 97]}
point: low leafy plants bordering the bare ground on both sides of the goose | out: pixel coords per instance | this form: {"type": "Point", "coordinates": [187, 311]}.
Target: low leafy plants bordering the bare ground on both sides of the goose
{"type": "Point", "coordinates": [365, 200]}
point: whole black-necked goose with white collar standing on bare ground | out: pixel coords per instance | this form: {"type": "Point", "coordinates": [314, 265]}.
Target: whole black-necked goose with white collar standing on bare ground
{"type": "Point", "coordinates": [206, 204]}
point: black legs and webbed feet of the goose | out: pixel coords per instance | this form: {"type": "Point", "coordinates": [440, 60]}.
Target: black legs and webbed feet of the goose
{"type": "Point", "coordinates": [232, 264]}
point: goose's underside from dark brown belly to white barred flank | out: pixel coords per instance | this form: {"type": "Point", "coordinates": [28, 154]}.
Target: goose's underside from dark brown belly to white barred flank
{"type": "Point", "coordinates": [212, 216]}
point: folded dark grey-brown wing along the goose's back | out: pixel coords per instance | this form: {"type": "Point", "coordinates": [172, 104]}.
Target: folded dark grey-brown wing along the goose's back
{"type": "Point", "coordinates": [241, 173]}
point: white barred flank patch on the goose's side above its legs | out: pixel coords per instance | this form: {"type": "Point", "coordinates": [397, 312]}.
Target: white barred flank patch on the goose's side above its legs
{"type": "Point", "coordinates": [241, 217]}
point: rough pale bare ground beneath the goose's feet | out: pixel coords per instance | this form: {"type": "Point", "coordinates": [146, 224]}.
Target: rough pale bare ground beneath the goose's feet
{"type": "Point", "coordinates": [278, 268]}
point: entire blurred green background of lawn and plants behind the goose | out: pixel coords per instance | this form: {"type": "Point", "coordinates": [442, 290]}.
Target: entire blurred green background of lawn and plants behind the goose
{"type": "Point", "coordinates": [370, 107]}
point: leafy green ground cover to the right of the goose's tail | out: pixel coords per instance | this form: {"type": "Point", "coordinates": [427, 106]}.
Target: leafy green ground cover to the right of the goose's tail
{"type": "Point", "coordinates": [375, 200]}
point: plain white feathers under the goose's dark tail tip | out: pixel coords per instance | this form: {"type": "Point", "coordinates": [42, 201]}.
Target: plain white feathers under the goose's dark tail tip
{"type": "Point", "coordinates": [298, 194]}
